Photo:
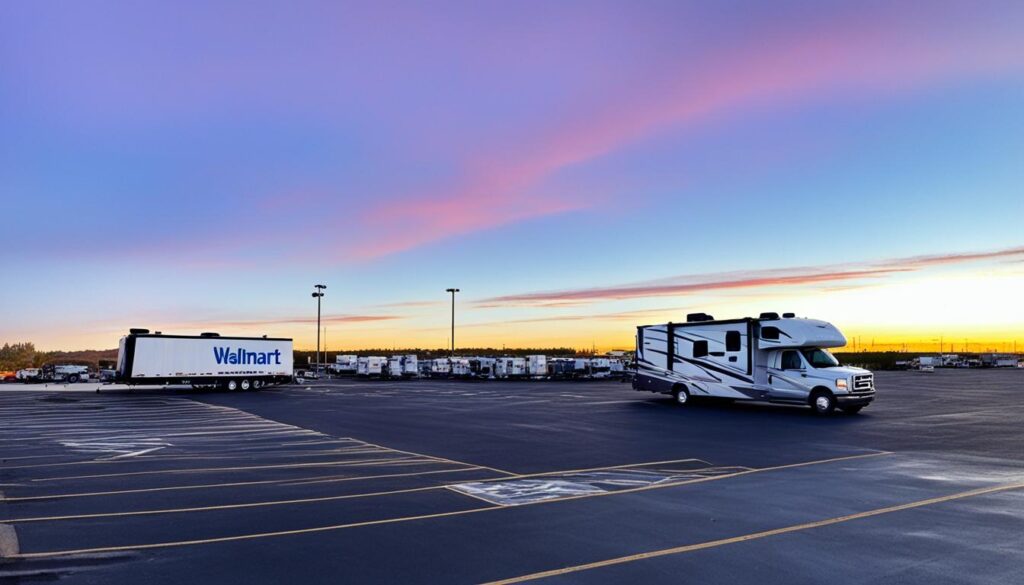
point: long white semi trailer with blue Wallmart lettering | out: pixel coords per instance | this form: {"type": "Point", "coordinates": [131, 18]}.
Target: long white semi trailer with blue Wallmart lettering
{"type": "Point", "coordinates": [203, 361]}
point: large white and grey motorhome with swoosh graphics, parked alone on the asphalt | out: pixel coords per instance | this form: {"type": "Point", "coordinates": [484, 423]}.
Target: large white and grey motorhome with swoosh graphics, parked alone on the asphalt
{"type": "Point", "coordinates": [772, 359]}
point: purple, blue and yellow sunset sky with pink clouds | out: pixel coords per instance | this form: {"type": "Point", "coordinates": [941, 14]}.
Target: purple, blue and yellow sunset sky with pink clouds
{"type": "Point", "coordinates": [576, 169]}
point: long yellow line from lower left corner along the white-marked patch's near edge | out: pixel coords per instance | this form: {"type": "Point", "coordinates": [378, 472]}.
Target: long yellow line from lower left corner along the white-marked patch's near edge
{"type": "Point", "coordinates": [425, 517]}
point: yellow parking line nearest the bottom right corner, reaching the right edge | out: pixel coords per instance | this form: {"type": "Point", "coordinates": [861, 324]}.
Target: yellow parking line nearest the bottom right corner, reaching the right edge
{"type": "Point", "coordinates": [757, 535]}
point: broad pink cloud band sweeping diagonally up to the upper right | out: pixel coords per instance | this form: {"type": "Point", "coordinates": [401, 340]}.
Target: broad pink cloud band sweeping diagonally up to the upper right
{"type": "Point", "coordinates": [860, 58]}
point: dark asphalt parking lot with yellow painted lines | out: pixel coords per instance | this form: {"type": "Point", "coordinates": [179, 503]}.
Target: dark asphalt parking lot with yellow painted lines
{"type": "Point", "coordinates": [451, 482]}
